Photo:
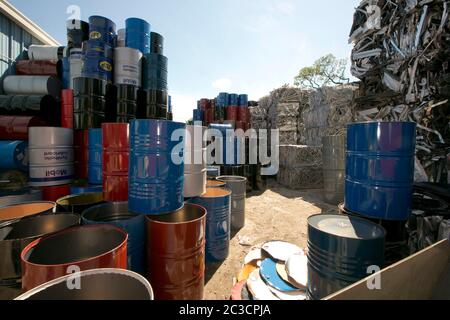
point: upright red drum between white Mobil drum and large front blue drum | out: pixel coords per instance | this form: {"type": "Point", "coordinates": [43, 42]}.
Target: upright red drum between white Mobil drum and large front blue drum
{"type": "Point", "coordinates": [116, 152]}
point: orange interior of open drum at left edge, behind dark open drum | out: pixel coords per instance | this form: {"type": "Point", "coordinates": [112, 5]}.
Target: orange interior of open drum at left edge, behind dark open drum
{"type": "Point", "coordinates": [24, 210]}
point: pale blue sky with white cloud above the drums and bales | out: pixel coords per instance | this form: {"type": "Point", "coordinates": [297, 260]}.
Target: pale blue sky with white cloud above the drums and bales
{"type": "Point", "coordinates": [242, 46]}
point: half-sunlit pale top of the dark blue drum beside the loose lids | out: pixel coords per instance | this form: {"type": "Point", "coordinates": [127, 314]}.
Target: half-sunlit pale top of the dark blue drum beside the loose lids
{"type": "Point", "coordinates": [346, 227]}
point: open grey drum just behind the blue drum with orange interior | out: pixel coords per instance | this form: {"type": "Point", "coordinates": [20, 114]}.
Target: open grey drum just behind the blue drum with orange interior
{"type": "Point", "coordinates": [238, 187]}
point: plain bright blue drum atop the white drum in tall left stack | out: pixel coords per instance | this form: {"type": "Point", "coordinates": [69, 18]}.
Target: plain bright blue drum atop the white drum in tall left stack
{"type": "Point", "coordinates": [138, 35]}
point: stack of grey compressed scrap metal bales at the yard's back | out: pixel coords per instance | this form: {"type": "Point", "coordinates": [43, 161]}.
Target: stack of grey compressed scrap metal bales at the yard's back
{"type": "Point", "coordinates": [303, 118]}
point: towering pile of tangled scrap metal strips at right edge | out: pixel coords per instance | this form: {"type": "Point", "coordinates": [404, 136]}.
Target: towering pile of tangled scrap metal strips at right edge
{"type": "Point", "coordinates": [401, 54]}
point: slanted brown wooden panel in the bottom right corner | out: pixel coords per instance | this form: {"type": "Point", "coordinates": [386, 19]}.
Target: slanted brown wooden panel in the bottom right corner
{"type": "Point", "coordinates": [415, 278]}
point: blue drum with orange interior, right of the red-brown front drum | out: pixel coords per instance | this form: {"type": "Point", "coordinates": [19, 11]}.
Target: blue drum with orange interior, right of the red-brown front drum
{"type": "Point", "coordinates": [217, 202]}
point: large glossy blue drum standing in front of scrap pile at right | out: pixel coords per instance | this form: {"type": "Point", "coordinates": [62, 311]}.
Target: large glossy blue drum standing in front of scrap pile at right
{"type": "Point", "coordinates": [380, 169]}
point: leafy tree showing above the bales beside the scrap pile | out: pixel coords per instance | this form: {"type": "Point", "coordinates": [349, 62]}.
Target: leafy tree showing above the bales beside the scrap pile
{"type": "Point", "coordinates": [326, 71]}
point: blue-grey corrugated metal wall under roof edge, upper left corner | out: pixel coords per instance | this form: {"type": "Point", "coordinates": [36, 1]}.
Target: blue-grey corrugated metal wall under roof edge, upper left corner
{"type": "Point", "coordinates": [13, 42]}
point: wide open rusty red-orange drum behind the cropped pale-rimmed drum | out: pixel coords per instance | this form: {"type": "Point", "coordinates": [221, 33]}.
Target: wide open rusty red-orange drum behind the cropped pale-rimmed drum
{"type": "Point", "coordinates": [74, 249]}
